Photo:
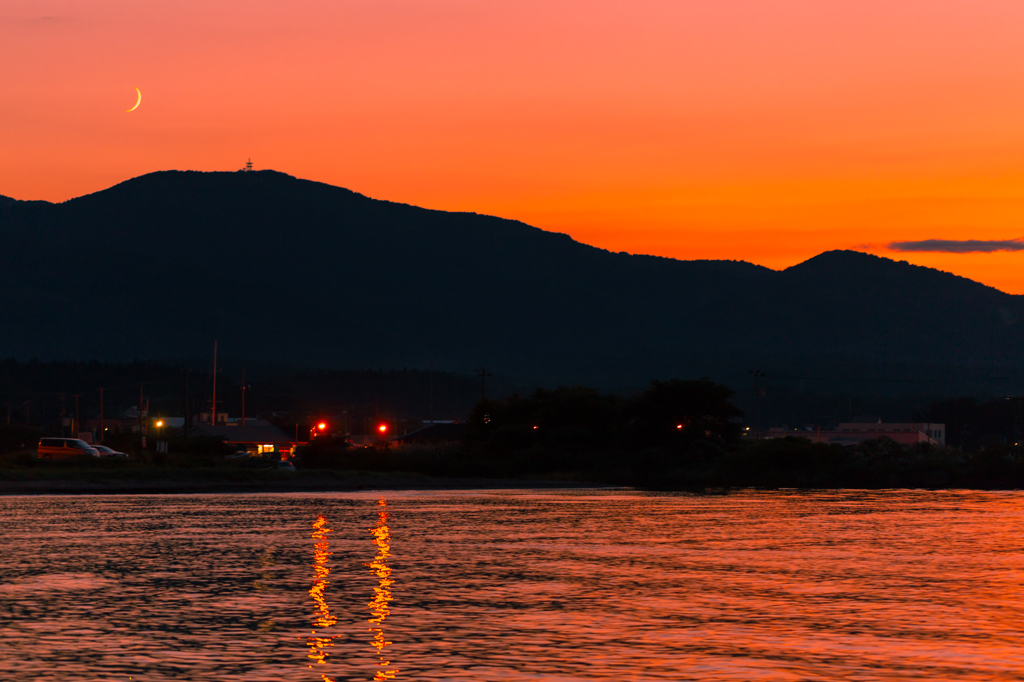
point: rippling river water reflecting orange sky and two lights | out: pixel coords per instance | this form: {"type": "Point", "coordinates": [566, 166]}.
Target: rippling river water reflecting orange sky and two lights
{"type": "Point", "coordinates": [566, 585]}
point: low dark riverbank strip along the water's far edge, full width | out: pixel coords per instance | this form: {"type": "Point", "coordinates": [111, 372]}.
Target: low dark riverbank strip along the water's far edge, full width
{"type": "Point", "coordinates": [790, 463]}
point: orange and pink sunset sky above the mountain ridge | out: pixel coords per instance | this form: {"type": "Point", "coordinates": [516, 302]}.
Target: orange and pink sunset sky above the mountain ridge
{"type": "Point", "coordinates": [766, 131]}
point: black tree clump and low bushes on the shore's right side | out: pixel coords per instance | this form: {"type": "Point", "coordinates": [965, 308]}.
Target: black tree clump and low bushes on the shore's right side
{"type": "Point", "coordinates": [676, 436]}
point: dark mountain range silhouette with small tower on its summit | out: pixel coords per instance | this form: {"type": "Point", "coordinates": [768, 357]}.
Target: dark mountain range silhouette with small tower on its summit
{"type": "Point", "coordinates": [300, 273]}
